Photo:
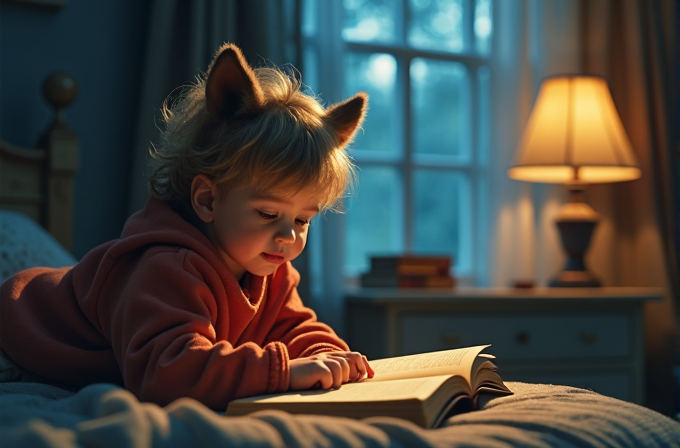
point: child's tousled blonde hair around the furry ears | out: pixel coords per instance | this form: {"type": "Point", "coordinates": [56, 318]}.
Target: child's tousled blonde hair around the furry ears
{"type": "Point", "coordinates": [283, 146]}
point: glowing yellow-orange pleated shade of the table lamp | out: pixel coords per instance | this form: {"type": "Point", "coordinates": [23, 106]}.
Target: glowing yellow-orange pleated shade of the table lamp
{"type": "Point", "coordinates": [574, 134]}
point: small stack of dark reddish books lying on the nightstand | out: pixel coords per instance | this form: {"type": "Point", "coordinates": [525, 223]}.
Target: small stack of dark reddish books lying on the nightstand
{"type": "Point", "coordinates": [409, 271]}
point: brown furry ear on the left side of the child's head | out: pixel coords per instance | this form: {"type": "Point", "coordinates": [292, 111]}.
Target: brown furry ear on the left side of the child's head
{"type": "Point", "coordinates": [231, 83]}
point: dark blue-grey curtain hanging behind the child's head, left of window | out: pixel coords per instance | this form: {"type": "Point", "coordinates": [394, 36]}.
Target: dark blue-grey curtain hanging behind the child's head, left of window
{"type": "Point", "coordinates": [181, 41]}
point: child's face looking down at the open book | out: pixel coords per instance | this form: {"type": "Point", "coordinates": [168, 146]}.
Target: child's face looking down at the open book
{"type": "Point", "coordinates": [258, 232]}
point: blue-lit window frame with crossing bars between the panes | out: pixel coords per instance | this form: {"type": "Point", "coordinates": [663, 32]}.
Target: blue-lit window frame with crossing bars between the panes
{"type": "Point", "coordinates": [327, 76]}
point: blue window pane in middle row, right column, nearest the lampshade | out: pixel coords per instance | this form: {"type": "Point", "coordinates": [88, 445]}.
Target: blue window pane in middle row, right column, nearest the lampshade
{"type": "Point", "coordinates": [440, 107]}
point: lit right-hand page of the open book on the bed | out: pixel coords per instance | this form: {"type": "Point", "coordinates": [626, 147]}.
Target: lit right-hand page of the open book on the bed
{"type": "Point", "coordinates": [460, 361]}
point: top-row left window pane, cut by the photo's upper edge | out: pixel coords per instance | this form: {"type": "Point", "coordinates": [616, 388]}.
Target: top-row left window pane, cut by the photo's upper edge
{"type": "Point", "coordinates": [369, 20]}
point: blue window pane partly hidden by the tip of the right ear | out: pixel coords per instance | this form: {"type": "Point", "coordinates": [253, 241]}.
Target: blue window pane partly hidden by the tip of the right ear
{"type": "Point", "coordinates": [374, 73]}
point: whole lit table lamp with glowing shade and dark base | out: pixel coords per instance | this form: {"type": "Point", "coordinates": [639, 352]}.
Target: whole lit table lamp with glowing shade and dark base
{"type": "Point", "coordinates": [575, 137]}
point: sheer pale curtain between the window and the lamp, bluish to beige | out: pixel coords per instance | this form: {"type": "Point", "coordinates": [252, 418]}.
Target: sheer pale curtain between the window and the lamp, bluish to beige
{"type": "Point", "coordinates": [532, 40]}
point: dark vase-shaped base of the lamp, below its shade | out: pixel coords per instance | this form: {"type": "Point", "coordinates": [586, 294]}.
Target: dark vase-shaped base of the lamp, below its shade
{"type": "Point", "coordinates": [576, 222]}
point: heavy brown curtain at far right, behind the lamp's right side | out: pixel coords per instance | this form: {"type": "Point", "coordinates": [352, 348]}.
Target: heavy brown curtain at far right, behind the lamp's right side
{"type": "Point", "coordinates": [632, 44]}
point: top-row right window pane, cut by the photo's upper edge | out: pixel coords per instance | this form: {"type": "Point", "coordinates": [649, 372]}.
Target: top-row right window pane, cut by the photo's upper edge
{"type": "Point", "coordinates": [436, 24]}
